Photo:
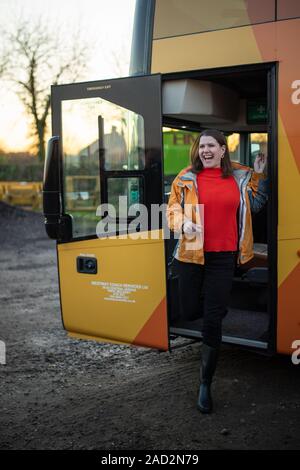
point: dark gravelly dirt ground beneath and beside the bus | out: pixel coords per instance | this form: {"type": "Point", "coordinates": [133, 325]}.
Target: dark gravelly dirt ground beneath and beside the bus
{"type": "Point", "coordinates": [58, 393]}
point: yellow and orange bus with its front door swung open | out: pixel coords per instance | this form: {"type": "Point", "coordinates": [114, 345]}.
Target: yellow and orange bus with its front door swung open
{"type": "Point", "coordinates": [225, 64]}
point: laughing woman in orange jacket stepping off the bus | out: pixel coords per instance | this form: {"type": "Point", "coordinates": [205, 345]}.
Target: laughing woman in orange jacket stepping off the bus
{"type": "Point", "coordinates": [210, 206]}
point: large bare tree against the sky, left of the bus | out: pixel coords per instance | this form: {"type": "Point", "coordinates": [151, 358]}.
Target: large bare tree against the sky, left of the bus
{"type": "Point", "coordinates": [40, 58]}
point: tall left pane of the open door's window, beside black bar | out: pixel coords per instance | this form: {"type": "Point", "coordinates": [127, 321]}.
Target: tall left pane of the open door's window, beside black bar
{"type": "Point", "coordinates": [81, 164]}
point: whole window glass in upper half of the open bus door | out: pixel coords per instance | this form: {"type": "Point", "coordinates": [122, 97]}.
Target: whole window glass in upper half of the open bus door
{"type": "Point", "coordinates": [90, 127]}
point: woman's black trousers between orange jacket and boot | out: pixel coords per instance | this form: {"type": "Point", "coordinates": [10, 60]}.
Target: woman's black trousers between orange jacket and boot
{"type": "Point", "coordinates": [204, 290]}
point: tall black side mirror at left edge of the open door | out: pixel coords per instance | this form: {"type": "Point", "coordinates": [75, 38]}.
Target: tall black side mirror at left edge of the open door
{"type": "Point", "coordinates": [58, 226]}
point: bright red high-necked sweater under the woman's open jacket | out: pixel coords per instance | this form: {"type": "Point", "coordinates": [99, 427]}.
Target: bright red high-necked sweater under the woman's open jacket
{"type": "Point", "coordinates": [221, 198]}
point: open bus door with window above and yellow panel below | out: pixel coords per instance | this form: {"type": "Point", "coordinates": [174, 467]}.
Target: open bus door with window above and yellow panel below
{"type": "Point", "coordinates": [112, 282]}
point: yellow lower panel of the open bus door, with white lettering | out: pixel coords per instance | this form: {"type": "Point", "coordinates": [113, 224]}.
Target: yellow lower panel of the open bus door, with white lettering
{"type": "Point", "coordinates": [118, 301]}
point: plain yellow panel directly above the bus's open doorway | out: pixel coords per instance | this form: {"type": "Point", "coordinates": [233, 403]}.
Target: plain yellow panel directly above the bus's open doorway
{"type": "Point", "coordinates": [205, 50]}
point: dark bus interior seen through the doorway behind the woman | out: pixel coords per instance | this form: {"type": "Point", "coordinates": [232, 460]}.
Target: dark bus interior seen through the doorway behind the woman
{"type": "Point", "coordinates": [237, 103]}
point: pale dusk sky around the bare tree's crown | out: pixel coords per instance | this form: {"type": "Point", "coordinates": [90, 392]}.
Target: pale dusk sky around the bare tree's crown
{"type": "Point", "coordinates": [107, 27]}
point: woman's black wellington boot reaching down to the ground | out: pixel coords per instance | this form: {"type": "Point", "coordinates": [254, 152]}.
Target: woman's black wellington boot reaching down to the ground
{"type": "Point", "coordinates": [209, 363]}
